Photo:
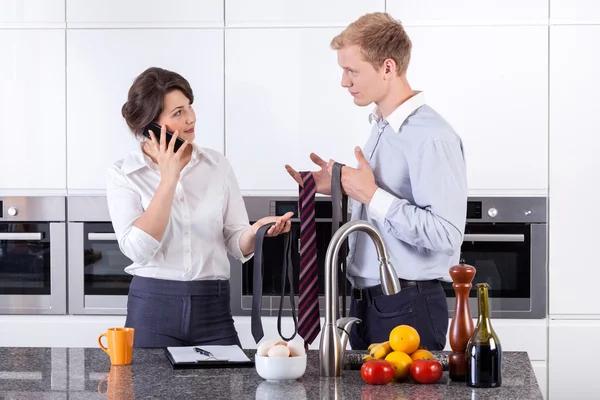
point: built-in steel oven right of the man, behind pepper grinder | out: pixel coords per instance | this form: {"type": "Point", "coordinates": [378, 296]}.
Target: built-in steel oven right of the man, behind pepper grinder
{"type": "Point", "coordinates": [506, 241]}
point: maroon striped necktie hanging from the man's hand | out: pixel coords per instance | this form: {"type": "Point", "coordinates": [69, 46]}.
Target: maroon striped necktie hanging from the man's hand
{"type": "Point", "coordinates": [308, 300]}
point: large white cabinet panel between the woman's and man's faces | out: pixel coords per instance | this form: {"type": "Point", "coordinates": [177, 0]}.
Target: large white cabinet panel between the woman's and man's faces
{"type": "Point", "coordinates": [284, 100]}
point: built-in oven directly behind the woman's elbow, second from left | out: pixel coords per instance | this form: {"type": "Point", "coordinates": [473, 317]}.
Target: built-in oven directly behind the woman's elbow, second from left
{"type": "Point", "coordinates": [98, 283]}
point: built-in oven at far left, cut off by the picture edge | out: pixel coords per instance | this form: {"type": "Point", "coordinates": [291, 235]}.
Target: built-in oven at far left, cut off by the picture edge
{"type": "Point", "coordinates": [32, 255]}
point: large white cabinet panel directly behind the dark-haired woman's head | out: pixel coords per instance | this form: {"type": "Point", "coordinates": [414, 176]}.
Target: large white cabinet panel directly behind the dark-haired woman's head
{"type": "Point", "coordinates": [102, 65]}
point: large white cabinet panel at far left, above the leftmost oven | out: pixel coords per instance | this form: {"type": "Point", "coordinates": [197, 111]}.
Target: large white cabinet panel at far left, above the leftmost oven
{"type": "Point", "coordinates": [32, 109]}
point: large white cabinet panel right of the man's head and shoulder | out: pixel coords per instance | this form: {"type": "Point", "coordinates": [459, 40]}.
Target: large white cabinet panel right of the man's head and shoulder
{"type": "Point", "coordinates": [491, 84]}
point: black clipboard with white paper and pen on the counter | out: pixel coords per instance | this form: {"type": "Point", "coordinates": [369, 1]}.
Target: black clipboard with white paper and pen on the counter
{"type": "Point", "coordinates": [222, 357]}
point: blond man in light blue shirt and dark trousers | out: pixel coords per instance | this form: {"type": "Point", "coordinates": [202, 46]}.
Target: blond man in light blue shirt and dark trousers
{"type": "Point", "coordinates": [410, 183]}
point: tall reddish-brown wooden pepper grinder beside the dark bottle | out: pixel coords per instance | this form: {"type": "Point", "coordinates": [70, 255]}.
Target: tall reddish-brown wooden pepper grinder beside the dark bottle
{"type": "Point", "coordinates": [461, 327]}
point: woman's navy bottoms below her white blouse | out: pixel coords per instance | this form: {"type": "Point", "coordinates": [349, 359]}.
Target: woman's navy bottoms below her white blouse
{"type": "Point", "coordinates": [167, 313]}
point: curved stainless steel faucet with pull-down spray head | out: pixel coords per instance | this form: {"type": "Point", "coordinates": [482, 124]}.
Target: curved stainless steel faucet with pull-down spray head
{"type": "Point", "coordinates": [333, 342]}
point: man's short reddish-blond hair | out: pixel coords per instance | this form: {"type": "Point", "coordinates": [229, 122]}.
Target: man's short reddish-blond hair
{"type": "Point", "coordinates": [379, 37]}
